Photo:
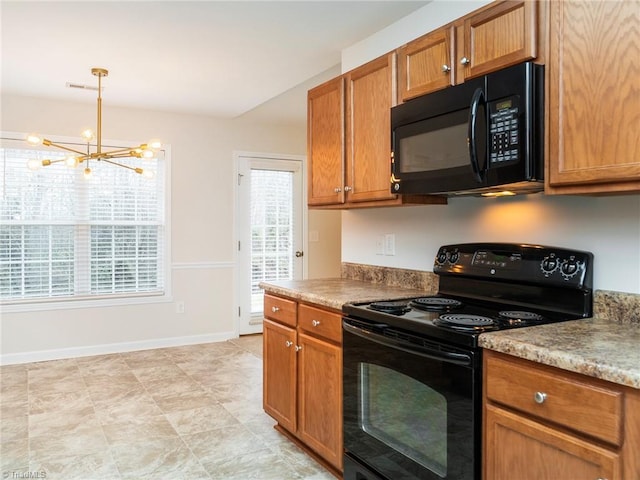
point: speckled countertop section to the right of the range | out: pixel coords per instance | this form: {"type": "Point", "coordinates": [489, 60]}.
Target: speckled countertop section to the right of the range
{"type": "Point", "coordinates": [595, 347]}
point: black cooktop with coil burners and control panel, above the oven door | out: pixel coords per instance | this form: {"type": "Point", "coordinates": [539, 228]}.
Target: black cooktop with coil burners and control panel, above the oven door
{"type": "Point", "coordinates": [491, 286]}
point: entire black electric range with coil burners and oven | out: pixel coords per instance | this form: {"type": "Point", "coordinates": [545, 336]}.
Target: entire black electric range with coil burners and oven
{"type": "Point", "coordinates": [420, 356]}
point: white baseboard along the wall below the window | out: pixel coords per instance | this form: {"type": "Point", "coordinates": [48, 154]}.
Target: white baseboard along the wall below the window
{"type": "Point", "coordinates": [74, 352]}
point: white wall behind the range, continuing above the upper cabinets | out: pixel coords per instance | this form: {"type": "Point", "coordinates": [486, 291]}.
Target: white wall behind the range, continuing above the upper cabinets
{"type": "Point", "coordinates": [608, 227]}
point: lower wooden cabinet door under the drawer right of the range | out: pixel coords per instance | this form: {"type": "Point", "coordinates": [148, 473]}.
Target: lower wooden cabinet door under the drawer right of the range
{"type": "Point", "coordinates": [514, 444]}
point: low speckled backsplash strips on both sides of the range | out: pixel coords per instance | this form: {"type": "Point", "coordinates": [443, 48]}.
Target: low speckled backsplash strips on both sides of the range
{"type": "Point", "coordinates": [618, 307]}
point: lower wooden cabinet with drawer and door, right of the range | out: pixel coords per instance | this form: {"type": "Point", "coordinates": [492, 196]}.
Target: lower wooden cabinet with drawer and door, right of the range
{"type": "Point", "coordinates": [547, 423]}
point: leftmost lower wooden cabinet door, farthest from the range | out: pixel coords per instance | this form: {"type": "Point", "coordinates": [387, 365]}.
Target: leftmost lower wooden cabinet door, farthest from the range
{"type": "Point", "coordinates": [279, 373]}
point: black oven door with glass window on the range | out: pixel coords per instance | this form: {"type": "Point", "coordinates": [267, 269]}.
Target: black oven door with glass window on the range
{"type": "Point", "coordinates": [412, 407]}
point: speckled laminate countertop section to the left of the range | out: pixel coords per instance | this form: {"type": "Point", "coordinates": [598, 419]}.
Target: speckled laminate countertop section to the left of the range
{"type": "Point", "coordinates": [335, 292]}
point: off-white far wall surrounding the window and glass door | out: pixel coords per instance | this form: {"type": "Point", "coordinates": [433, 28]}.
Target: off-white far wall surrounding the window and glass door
{"type": "Point", "coordinates": [202, 253]}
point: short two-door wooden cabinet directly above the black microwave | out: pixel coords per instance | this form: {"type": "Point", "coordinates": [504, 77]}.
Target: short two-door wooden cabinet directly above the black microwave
{"type": "Point", "coordinates": [497, 36]}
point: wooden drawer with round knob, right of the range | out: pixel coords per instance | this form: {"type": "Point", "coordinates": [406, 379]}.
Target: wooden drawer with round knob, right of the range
{"type": "Point", "coordinates": [590, 407]}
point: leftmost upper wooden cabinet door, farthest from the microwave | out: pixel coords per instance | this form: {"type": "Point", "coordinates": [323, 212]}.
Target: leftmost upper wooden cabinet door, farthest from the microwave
{"type": "Point", "coordinates": [325, 143]}
